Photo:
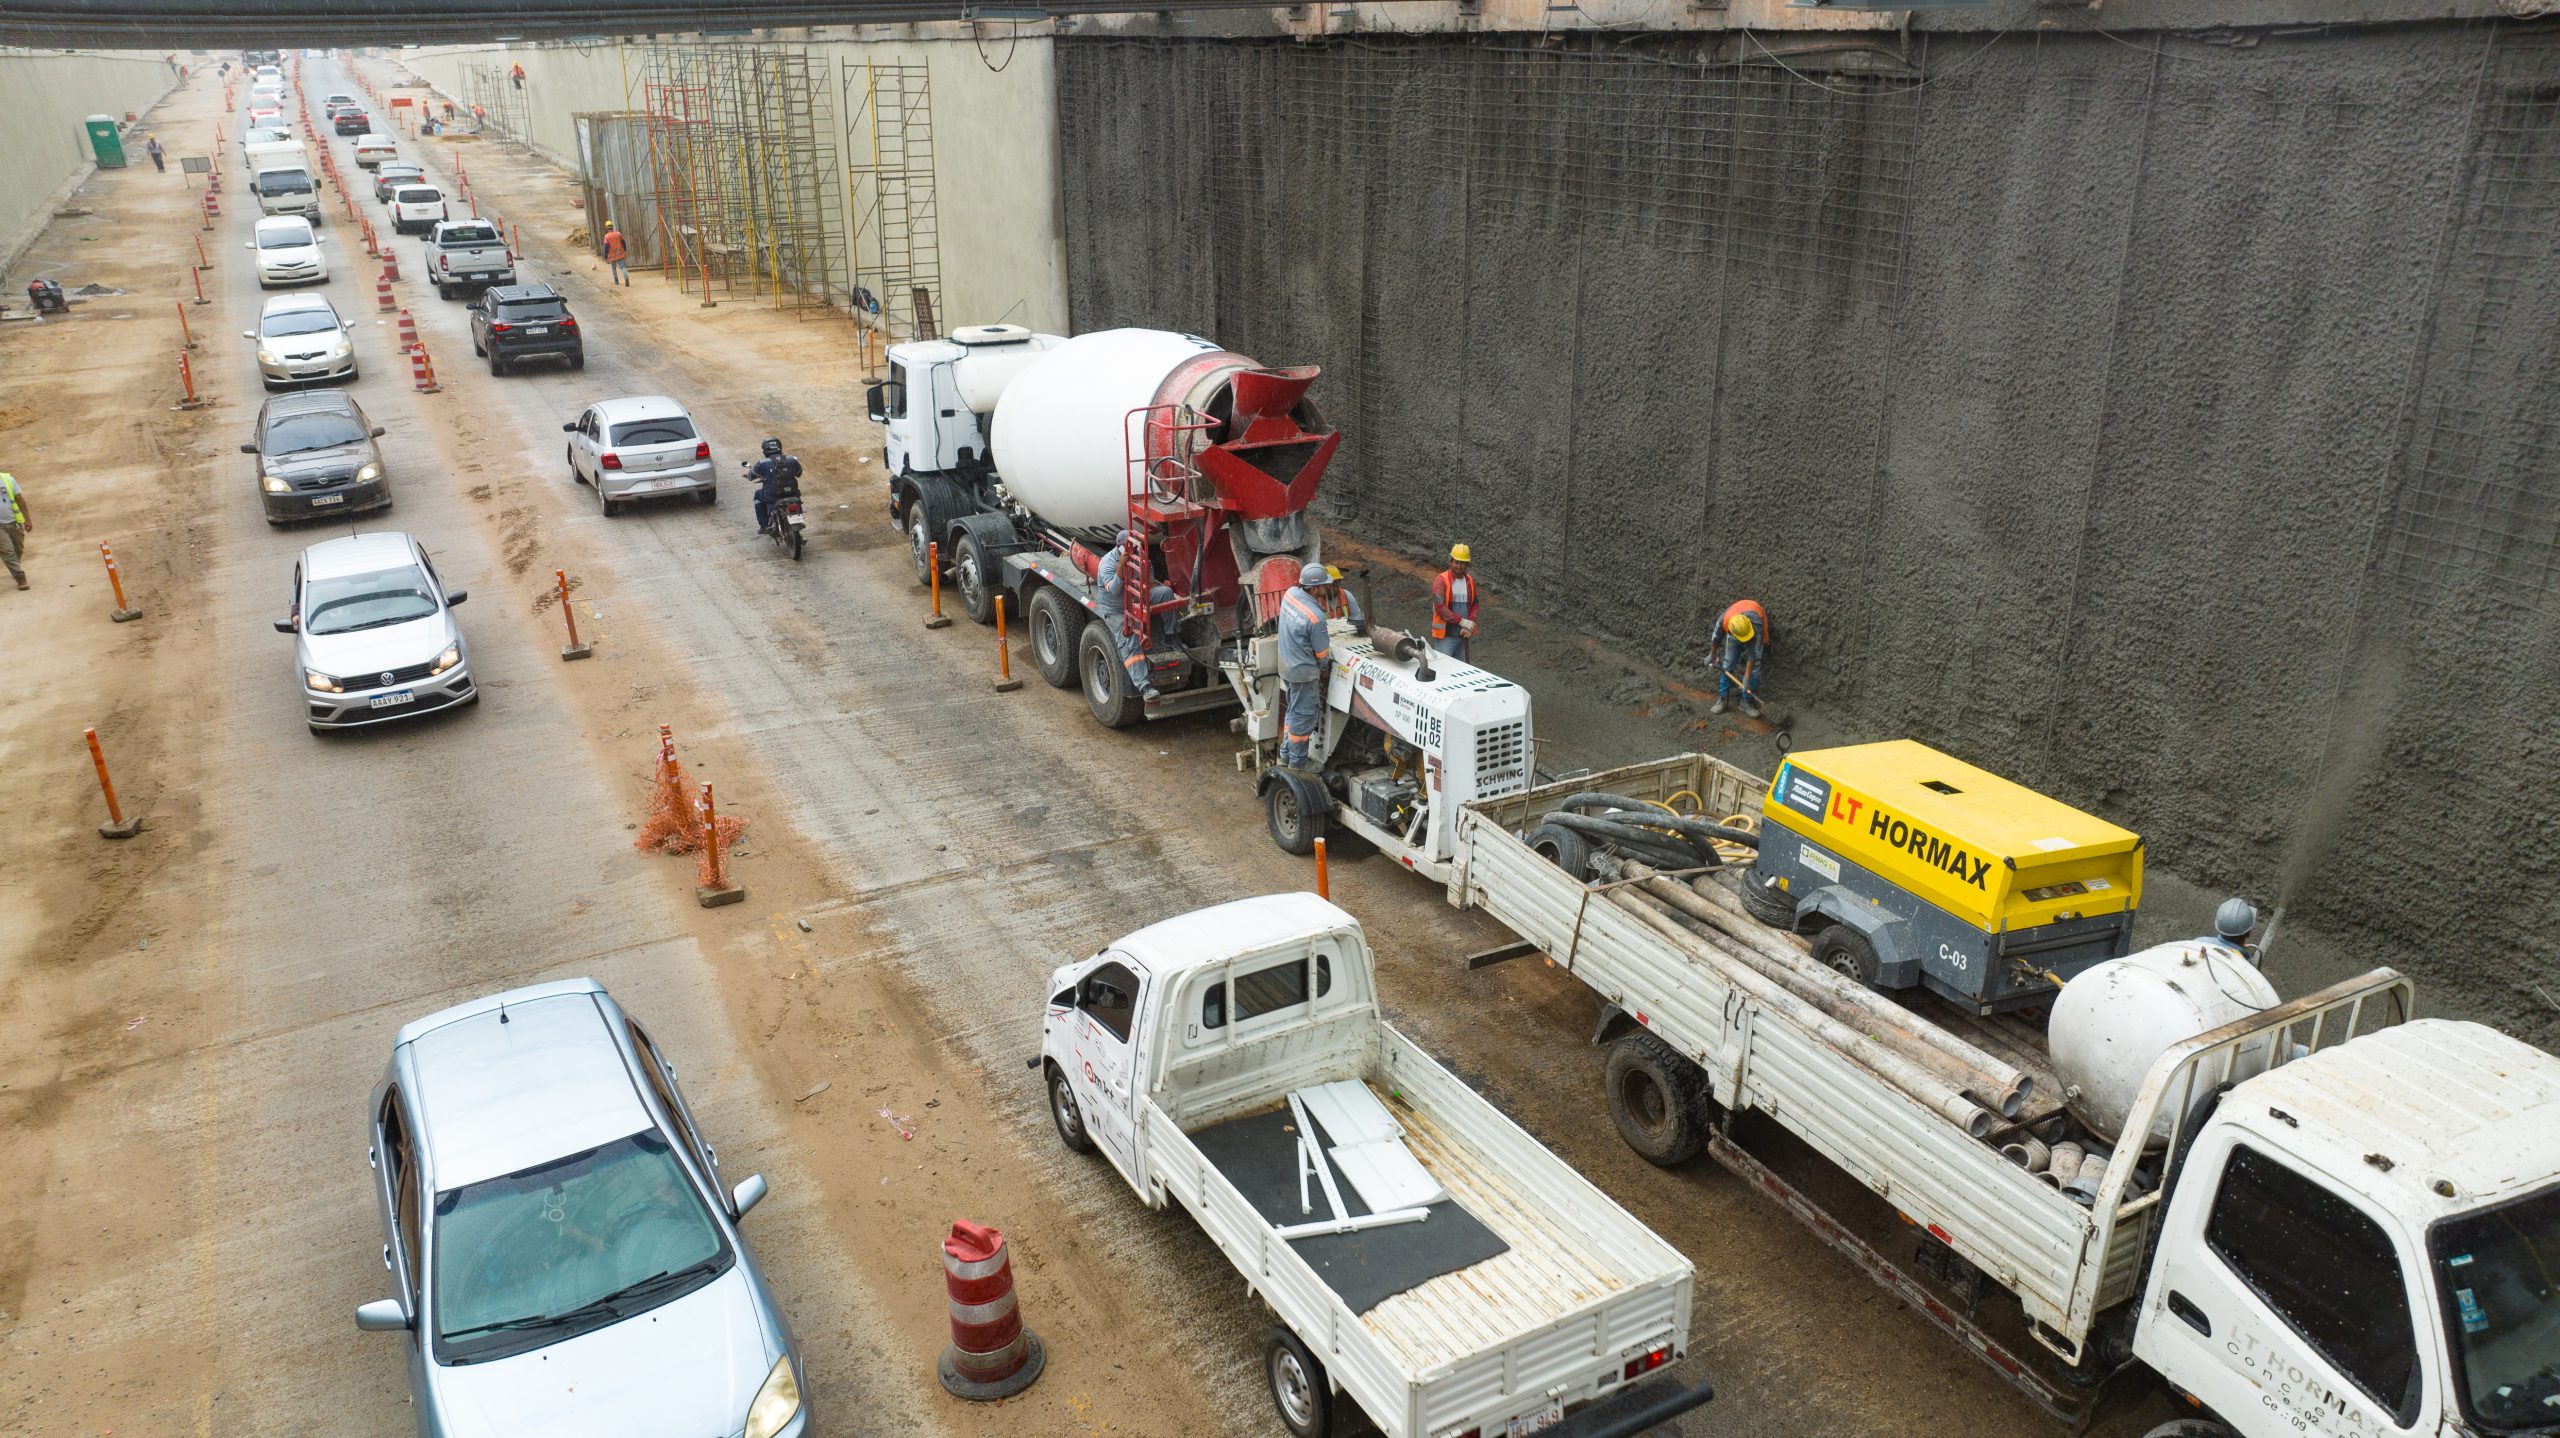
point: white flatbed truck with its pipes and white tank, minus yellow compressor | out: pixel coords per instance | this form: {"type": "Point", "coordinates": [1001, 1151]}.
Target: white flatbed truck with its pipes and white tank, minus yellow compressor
{"type": "Point", "coordinates": [2303, 1217]}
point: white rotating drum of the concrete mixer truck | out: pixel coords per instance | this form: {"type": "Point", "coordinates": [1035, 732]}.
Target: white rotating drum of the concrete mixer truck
{"type": "Point", "coordinates": [1064, 423]}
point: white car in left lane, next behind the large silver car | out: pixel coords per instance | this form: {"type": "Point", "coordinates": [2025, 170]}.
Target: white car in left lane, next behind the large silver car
{"type": "Point", "coordinates": [375, 633]}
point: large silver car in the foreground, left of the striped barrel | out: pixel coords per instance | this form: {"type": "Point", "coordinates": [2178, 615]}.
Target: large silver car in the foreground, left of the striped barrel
{"type": "Point", "coordinates": [564, 1258]}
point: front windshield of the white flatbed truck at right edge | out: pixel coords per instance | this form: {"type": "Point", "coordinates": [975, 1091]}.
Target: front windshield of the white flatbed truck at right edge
{"type": "Point", "coordinates": [2502, 1301]}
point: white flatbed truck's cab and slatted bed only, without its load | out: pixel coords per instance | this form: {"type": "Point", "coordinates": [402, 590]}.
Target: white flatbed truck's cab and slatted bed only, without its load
{"type": "Point", "coordinates": [2354, 1224]}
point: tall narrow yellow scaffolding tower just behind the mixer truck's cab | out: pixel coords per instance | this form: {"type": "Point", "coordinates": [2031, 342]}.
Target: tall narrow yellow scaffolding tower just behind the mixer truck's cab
{"type": "Point", "coordinates": [892, 142]}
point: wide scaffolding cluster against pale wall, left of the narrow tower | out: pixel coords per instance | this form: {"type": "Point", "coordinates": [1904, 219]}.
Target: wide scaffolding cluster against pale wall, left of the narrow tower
{"type": "Point", "coordinates": [746, 196]}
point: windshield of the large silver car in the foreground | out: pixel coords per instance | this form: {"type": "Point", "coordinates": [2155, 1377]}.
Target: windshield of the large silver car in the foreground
{"type": "Point", "coordinates": [567, 1247]}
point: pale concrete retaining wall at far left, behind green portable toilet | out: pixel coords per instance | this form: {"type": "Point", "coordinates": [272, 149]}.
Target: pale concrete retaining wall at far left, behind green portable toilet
{"type": "Point", "coordinates": [45, 152]}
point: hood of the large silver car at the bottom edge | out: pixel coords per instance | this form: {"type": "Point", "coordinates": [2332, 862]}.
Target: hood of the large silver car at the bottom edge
{"type": "Point", "coordinates": [685, 1370]}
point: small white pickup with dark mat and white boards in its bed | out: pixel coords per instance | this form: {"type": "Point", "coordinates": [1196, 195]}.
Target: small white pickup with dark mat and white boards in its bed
{"type": "Point", "coordinates": [1427, 1260]}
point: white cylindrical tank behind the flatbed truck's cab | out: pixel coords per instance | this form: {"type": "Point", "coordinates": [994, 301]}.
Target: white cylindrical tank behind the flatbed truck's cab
{"type": "Point", "coordinates": [2116, 1020]}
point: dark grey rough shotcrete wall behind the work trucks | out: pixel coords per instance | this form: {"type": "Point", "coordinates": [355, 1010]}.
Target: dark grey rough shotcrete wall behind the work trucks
{"type": "Point", "coordinates": [2162, 423]}
